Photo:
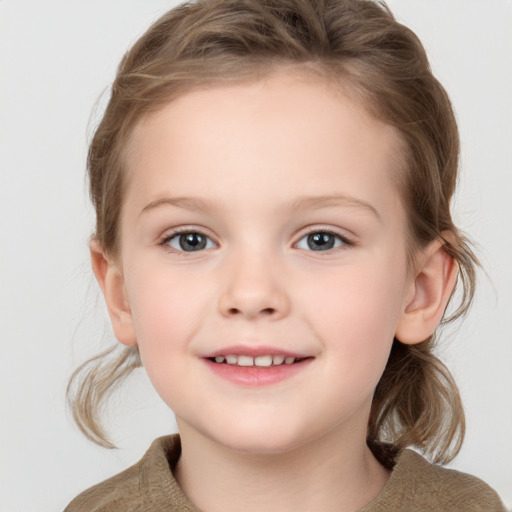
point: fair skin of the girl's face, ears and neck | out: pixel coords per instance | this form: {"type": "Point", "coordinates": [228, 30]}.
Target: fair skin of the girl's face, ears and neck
{"type": "Point", "coordinates": [286, 190]}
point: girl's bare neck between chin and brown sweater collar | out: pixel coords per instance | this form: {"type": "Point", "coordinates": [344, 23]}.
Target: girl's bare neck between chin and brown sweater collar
{"type": "Point", "coordinates": [326, 474]}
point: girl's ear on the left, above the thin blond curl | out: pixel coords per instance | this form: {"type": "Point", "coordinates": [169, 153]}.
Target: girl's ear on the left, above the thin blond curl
{"type": "Point", "coordinates": [111, 281]}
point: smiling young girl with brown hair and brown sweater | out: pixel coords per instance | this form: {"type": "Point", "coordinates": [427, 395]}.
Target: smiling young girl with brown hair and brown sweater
{"type": "Point", "coordinates": [274, 243]}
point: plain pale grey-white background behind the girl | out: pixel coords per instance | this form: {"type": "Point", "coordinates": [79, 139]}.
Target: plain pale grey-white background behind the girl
{"type": "Point", "coordinates": [56, 58]}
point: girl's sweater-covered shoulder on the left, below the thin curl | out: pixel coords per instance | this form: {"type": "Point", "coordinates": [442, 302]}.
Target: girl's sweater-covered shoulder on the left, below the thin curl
{"type": "Point", "coordinates": [147, 485]}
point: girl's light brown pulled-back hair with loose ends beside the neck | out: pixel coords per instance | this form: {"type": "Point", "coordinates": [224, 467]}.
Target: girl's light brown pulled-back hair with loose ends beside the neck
{"type": "Point", "coordinates": [354, 44]}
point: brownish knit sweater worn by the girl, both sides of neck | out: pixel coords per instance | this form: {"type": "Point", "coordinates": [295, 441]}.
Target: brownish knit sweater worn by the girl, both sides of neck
{"type": "Point", "coordinates": [414, 485]}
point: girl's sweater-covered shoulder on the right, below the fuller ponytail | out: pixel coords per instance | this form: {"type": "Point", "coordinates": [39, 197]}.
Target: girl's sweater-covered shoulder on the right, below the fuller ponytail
{"type": "Point", "coordinates": [416, 484]}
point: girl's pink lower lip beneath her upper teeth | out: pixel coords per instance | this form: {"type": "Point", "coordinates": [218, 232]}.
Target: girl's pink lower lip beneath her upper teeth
{"type": "Point", "coordinates": [254, 376]}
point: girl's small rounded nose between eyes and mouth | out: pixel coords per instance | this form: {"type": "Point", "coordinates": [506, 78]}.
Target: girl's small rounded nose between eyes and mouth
{"type": "Point", "coordinates": [253, 289]}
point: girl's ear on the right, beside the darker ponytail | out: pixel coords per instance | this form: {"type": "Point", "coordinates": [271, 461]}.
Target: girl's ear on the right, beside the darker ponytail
{"type": "Point", "coordinates": [430, 290]}
